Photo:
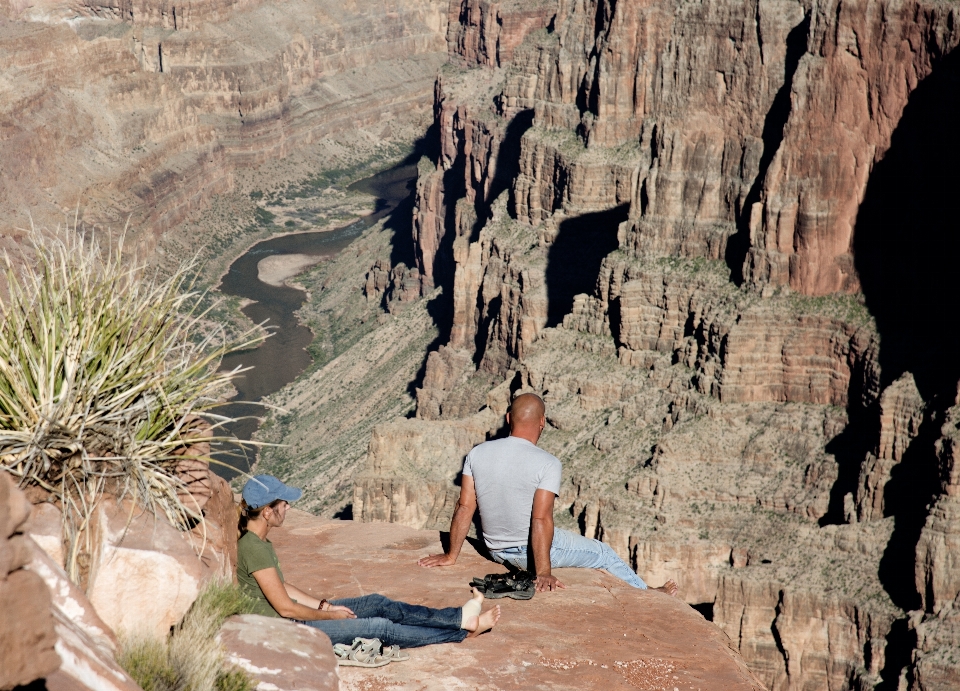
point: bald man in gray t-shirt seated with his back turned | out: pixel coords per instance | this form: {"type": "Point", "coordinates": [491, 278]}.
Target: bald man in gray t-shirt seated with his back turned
{"type": "Point", "coordinates": [515, 483]}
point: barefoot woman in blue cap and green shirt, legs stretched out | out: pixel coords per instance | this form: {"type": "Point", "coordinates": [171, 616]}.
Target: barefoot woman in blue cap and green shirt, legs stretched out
{"type": "Point", "coordinates": [397, 624]}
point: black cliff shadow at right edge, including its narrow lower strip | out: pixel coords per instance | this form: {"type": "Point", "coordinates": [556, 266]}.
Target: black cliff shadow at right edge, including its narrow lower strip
{"type": "Point", "coordinates": [907, 250]}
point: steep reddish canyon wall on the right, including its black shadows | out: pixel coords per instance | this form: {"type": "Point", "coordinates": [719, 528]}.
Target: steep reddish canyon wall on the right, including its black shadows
{"type": "Point", "coordinates": [678, 222]}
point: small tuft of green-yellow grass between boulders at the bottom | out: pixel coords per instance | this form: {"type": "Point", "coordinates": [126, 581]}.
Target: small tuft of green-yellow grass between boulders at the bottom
{"type": "Point", "coordinates": [190, 659]}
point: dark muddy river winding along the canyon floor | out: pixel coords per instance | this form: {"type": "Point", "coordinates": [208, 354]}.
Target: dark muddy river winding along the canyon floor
{"type": "Point", "coordinates": [283, 356]}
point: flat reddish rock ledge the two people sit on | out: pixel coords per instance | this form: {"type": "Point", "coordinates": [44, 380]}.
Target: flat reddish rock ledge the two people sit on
{"type": "Point", "coordinates": [596, 634]}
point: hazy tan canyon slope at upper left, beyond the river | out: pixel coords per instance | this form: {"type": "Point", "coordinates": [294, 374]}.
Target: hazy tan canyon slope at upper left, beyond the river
{"type": "Point", "coordinates": [143, 112]}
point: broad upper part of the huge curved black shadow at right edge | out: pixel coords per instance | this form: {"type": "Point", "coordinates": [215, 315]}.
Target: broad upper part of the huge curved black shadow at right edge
{"type": "Point", "coordinates": [907, 237]}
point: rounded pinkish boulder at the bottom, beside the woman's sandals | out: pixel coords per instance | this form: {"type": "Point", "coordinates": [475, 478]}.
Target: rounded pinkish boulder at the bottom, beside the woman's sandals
{"type": "Point", "coordinates": [281, 654]}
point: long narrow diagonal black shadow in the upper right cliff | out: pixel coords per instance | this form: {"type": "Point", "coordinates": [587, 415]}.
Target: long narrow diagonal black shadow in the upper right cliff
{"type": "Point", "coordinates": [772, 136]}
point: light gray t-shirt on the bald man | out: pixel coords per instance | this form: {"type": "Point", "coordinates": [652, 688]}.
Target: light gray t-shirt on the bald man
{"type": "Point", "coordinates": [507, 473]}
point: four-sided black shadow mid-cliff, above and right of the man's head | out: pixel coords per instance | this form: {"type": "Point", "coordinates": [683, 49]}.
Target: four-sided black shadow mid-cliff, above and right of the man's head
{"type": "Point", "coordinates": [574, 258]}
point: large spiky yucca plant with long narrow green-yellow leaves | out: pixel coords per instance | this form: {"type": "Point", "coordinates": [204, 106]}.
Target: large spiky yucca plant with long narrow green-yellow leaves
{"type": "Point", "coordinates": [105, 368]}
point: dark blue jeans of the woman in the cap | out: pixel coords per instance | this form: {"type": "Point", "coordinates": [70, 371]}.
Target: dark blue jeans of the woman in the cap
{"type": "Point", "coordinates": [394, 623]}
